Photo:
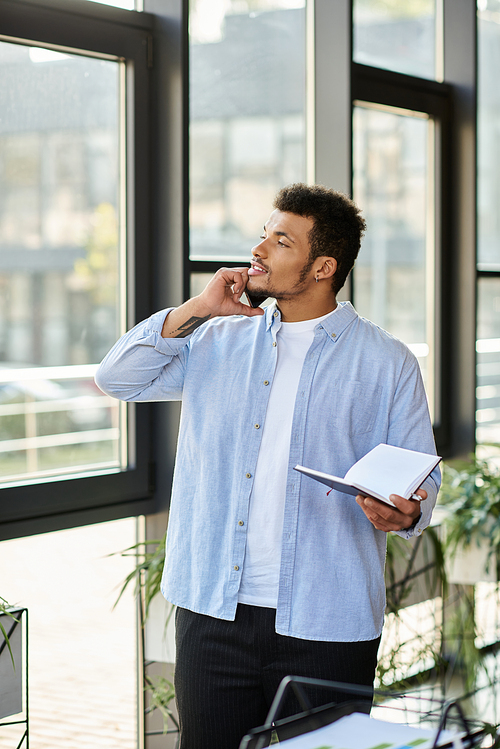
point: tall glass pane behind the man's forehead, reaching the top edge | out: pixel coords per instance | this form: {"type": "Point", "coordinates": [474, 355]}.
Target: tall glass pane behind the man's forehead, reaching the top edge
{"type": "Point", "coordinates": [247, 118]}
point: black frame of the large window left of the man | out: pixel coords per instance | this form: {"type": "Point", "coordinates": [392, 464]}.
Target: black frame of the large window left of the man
{"type": "Point", "coordinates": [82, 26]}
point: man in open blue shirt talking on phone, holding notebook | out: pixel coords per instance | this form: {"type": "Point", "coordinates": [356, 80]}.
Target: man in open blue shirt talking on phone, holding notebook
{"type": "Point", "coordinates": [270, 575]}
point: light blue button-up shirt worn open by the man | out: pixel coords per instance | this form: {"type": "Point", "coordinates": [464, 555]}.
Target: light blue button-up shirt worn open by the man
{"type": "Point", "coordinates": [359, 386]}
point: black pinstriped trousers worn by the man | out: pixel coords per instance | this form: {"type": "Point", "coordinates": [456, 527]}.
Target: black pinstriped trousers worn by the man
{"type": "Point", "coordinates": [227, 673]}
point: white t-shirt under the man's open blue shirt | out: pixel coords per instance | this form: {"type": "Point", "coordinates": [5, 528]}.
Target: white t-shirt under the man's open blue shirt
{"type": "Point", "coordinates": [260, 575]}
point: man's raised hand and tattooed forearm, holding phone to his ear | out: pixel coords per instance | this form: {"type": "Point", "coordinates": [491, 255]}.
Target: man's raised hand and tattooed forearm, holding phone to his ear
{"type": "Point", "coordinates": [220, 298]}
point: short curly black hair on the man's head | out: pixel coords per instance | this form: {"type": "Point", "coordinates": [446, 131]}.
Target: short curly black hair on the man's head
{"type": "Point", "coordinates": [338, 224]}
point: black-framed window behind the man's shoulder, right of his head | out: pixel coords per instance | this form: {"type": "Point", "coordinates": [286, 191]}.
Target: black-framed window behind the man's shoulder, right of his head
{"type": "Point", "coordinates": [400, 172]}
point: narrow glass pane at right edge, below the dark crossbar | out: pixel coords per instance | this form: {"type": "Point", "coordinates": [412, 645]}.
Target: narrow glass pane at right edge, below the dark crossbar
{"type": "Point", "coordinates": [488, 363]}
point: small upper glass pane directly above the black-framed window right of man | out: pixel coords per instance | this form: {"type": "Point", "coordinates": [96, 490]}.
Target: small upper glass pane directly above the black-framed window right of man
{"type": "Point", "coordinates": [396, 35]}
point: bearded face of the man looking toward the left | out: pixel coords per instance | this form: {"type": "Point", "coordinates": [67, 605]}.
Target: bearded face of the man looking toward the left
{"type": "Point", "coordinates": [280, 263]}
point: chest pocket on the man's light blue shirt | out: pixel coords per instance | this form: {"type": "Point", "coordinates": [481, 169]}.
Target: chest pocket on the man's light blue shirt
{"type": "Point", "coordinates": [356, 406]}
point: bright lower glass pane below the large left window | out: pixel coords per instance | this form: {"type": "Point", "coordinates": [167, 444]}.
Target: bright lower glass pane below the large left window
{"type": "Point", "coordinates": [82, 651]}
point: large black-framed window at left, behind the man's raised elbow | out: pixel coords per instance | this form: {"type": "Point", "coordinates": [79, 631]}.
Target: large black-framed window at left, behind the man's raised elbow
{"type": "Point", "coordinates": [74, 254]}
